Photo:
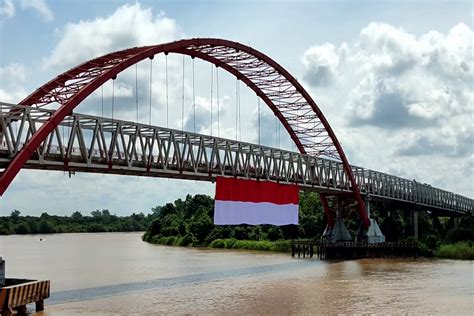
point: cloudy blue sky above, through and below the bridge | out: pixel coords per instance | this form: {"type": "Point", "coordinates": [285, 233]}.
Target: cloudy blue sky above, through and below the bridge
{"type": "Point", "coordinates": [395, 80]}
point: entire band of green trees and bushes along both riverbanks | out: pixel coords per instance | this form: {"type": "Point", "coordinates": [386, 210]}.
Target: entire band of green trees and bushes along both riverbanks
{"type": "Point", "coordinates": [189, 222]}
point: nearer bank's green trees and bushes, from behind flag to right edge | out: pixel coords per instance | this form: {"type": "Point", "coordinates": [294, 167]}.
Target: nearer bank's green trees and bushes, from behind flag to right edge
{"type": "Point", "coordinates": [189, 222]}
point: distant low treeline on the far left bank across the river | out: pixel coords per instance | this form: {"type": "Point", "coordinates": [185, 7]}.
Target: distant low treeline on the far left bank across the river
{"type": "Point", "coordinates": [98, 221]}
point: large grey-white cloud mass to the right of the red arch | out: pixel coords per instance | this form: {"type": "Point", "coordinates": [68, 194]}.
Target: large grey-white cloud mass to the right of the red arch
{"type": "Point", "coordinates": [398, 99]}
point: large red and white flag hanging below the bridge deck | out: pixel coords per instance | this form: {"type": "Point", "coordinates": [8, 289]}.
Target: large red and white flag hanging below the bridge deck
{"type": "Point", "coordinates": [240, 201]}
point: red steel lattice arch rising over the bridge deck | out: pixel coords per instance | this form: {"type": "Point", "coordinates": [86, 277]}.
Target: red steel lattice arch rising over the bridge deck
{"type": "Point", "coordinates": [293, 106]}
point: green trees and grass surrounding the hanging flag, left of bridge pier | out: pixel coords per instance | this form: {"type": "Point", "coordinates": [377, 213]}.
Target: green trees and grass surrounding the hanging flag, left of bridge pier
{"type": "Point", "coordinates": [190, 222]}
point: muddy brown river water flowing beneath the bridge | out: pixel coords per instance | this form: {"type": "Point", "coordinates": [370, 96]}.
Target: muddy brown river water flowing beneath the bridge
{"type": "Point", "coordinates": [118, 274]}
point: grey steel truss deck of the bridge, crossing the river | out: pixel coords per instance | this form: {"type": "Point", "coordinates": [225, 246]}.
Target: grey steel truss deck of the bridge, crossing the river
{"type": "Point", "coordinates": [85, 143]}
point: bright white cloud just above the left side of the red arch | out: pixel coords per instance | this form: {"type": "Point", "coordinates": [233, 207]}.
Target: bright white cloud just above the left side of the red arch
{"type": "Point", "coordinates": [128, 26]}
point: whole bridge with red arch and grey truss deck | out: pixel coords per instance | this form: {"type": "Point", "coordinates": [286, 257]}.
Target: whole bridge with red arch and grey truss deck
{"type": "Point", "coordinates": [112, 146]}
